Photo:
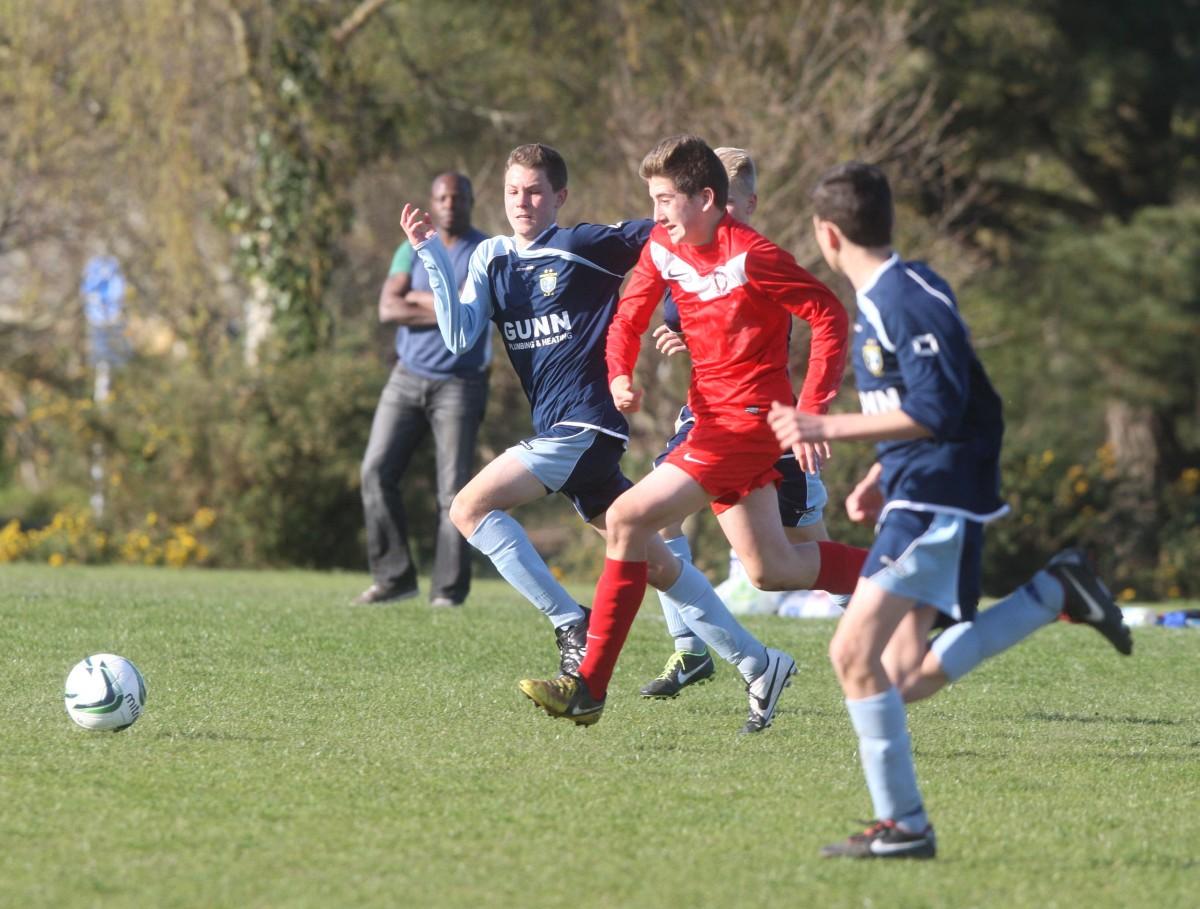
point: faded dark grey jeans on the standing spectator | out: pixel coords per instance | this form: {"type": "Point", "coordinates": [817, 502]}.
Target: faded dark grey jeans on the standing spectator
{"type": "Point", "coordinates": [409, 408]}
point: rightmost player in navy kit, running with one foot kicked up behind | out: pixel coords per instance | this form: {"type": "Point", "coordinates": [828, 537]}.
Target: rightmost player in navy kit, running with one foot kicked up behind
{"type": "Point", "coordinates": [939, 424]}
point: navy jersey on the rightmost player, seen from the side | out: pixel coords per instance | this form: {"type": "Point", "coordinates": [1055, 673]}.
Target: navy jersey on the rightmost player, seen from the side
{"type": "Point", "coordinates": [913, 353]}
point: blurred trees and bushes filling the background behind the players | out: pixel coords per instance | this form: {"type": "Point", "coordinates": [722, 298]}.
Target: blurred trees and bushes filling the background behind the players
{"type": "Point", "coordinates": [247, 162]}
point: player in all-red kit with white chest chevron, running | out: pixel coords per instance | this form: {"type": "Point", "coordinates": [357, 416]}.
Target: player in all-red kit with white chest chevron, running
{"type": "Point", "coordinates": [736, 293]}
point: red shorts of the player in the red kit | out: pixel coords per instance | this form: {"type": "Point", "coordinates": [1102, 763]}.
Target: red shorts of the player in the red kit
{"type": "Point", "coordinates": [729, 462]}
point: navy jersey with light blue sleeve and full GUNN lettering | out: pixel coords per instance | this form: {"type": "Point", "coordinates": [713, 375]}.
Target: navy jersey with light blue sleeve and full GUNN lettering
{"type": "Point", "coordinates": [553, 303]}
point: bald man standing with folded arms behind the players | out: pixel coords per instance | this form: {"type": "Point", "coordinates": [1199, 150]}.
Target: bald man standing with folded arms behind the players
{"type": "Point", "coordinates": [429, 389]}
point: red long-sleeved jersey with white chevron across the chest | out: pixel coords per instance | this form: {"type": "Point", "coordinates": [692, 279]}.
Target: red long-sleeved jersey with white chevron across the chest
{"type": "Point", "coordinates": [736, 297]}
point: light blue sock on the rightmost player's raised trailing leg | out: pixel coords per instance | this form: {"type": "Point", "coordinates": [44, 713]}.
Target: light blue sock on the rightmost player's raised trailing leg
{"type": "Point", "coordinates": [963, 647]}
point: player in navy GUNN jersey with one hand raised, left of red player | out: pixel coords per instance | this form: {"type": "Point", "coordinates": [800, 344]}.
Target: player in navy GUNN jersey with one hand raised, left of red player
{"type": "Point", "coordinates": [553, 293]}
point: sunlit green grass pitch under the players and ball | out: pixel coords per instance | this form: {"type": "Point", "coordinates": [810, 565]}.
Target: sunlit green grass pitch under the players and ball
{"type": "Point", "coordinates": [297, 753]}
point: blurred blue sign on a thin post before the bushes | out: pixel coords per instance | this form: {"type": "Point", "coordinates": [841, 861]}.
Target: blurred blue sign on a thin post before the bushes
{"type": "Point", "coordinates": [104, 296]}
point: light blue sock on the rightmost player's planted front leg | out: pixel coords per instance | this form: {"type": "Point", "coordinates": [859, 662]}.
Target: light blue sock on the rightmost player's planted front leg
{"type": "Point", "coordinates": [886, 753]}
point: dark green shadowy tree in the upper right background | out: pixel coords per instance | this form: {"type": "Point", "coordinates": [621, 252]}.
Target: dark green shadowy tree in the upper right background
{"type": "Point", "coordinates": [1082, 123]}
